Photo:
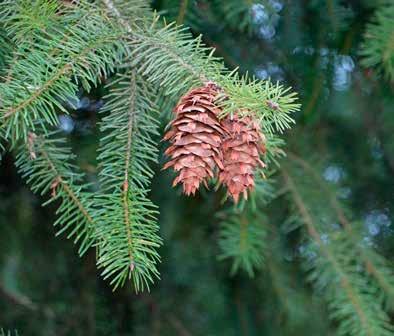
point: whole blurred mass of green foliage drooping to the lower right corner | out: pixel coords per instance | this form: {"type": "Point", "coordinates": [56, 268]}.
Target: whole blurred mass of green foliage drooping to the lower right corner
{"type": "Point", "coordinates": [343, 268]}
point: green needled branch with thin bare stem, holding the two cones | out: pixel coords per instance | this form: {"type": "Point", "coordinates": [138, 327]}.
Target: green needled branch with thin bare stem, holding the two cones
{"type": "Point", "coordinates": [169, 57]}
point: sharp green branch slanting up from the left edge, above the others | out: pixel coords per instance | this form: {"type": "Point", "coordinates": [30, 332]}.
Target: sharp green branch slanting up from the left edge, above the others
{"type": "Point", "coordinates": [93, 51]}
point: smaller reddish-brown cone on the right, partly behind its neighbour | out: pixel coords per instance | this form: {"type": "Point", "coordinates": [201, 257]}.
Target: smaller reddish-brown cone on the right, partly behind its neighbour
{"type": "Point", "coordinates": [241, 149]}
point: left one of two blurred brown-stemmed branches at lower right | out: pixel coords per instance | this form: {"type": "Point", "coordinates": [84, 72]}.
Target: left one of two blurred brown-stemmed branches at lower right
{"type": "Point", "coordinates": [354, 308]}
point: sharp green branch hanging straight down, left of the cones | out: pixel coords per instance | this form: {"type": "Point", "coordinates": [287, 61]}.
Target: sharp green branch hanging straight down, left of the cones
{"type": "Point", "coordinates": [127, 233]}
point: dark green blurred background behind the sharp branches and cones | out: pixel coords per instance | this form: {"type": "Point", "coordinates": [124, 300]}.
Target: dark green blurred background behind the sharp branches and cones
{"type": "Point", "coordinates": [344, 134]}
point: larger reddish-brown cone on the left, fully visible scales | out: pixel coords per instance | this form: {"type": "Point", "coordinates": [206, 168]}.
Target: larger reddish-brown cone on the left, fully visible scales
{"type": "Point", "coordinates": [195, 137]}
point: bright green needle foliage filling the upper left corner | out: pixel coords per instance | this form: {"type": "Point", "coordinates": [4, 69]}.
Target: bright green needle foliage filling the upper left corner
{"type": "Point", "coordinates": [57, 52]}
